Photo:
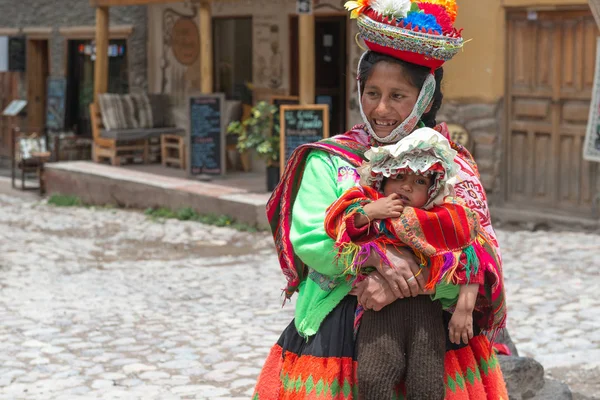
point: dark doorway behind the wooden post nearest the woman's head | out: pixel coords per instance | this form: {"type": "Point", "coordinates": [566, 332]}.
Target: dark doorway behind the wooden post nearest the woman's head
{"type": "Point", "coordinates": [330, 66]}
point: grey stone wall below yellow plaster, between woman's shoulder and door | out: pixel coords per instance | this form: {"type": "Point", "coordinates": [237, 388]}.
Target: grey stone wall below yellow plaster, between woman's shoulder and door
{"type": "Point", "coordinates": [483, 122]}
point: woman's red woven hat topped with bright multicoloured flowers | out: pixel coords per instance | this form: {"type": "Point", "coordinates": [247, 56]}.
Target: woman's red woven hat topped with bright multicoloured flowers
{"type": "Point", "coordinates": [420, 31]}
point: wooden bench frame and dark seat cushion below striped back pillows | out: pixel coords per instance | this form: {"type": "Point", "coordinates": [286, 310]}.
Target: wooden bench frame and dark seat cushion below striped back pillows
{"type": "Point", "coordinates": [118, 144]}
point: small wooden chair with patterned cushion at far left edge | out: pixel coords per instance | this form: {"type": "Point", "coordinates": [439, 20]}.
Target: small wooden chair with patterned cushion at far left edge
{"type": "Point", "coordinates": [29, 153]}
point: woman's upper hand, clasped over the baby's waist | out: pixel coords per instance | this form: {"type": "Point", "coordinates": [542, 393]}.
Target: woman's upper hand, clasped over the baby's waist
{"type": "Point", "coordinates": [404, 276]}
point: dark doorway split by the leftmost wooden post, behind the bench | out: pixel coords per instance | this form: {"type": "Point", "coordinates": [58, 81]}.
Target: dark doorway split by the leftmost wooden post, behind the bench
{"type": "Point", "coordinates": [80, 80]}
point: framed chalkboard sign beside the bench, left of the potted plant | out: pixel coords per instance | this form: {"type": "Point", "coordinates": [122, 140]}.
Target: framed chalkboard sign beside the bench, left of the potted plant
{"type": "Point", "coordinates": [206, 136]}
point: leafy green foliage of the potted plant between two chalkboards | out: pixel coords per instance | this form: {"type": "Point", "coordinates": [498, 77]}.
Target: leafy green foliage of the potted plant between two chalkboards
{"type": "Point", "coordinates": [255, 133]}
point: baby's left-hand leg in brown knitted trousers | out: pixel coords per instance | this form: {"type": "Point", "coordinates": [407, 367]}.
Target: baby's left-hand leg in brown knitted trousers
{"type": "Point", "coordinates": [381, 348]}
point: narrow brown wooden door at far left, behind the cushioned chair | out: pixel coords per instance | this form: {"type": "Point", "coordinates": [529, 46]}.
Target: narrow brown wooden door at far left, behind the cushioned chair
{"type": "Point", "coordinates": [37, 74]}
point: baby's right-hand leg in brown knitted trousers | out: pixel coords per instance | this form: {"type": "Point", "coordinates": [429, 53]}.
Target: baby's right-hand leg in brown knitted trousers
{"type": "Point", "coordinates": [426, 349]}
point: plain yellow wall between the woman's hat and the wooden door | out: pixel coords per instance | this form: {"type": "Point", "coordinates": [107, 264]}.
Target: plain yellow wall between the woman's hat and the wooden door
{"type": "Point", "coordinates": [478, 73]}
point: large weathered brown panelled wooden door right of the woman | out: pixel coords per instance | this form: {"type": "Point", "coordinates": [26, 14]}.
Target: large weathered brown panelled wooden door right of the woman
{"type": "Point", "coordinates": [550, 77]}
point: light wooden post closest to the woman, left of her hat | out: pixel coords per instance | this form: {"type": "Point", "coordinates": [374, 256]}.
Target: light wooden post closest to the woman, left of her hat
{"type": "Point", "coordinates": [306, 35]}
